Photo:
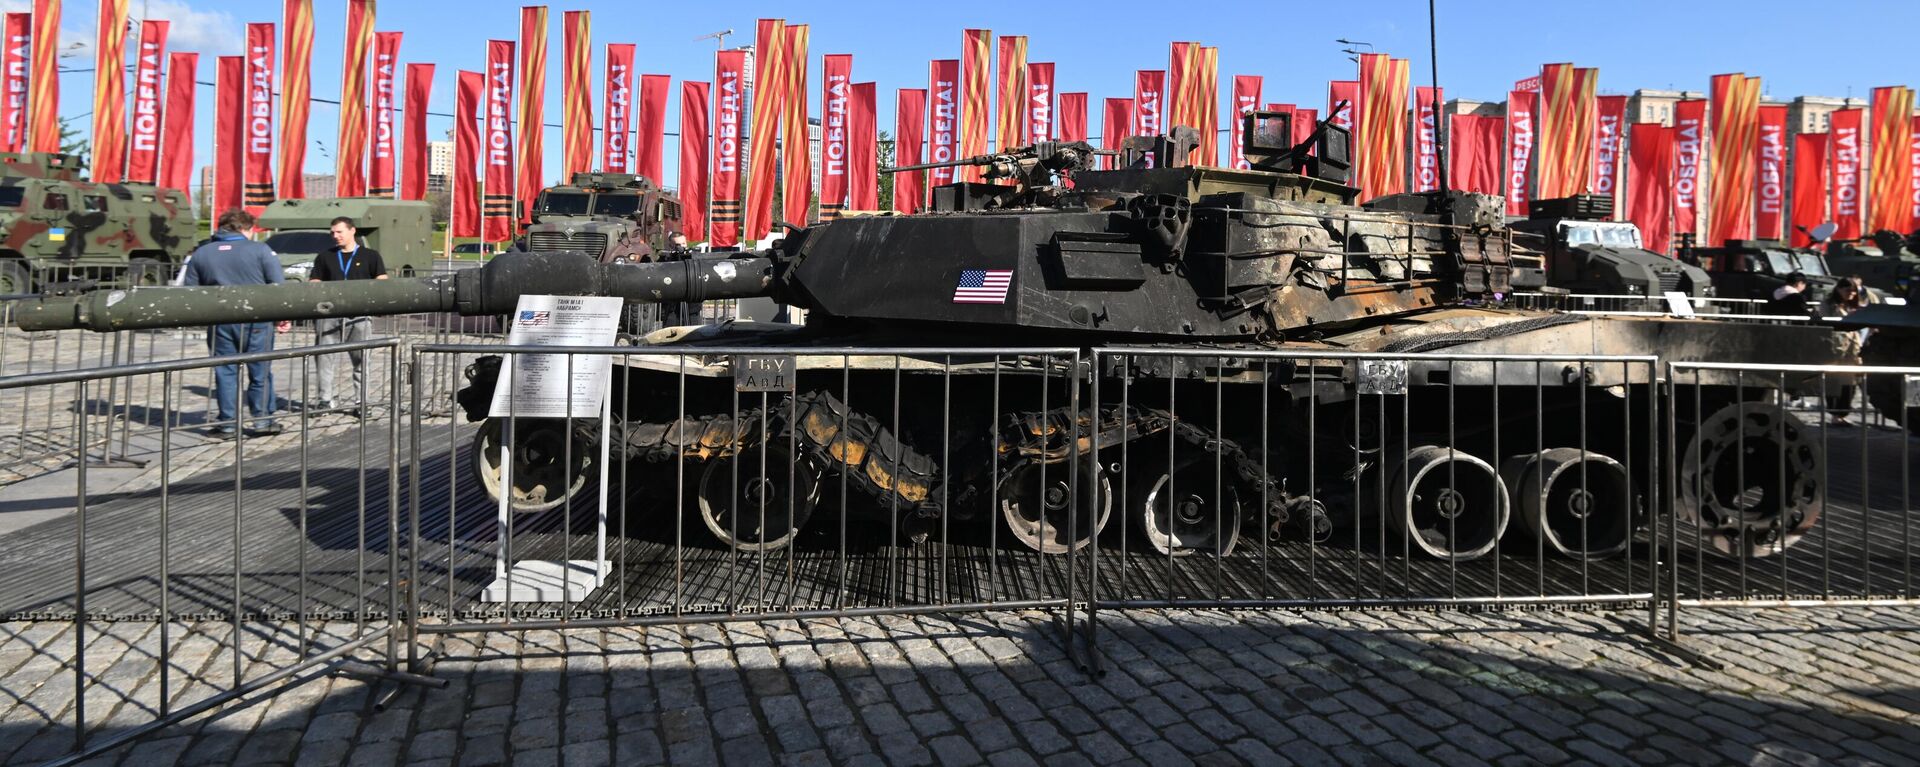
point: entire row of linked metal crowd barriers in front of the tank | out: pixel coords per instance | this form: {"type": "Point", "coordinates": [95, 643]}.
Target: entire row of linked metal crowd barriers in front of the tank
{"type": "Point", "coordinates": [744, 483]}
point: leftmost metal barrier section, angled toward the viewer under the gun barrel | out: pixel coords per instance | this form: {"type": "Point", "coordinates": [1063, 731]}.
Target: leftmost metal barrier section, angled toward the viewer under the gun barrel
{"type": "Point", "coordinates": [166, 581]}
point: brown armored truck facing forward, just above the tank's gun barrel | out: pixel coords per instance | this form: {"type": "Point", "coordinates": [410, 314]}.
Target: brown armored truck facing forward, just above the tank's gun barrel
{"type": "Point", "coordinates": [617, 218]}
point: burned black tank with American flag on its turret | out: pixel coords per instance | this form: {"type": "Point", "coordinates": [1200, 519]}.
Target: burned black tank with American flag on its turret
{"type": "Point", "coordinates": [1149, 255]}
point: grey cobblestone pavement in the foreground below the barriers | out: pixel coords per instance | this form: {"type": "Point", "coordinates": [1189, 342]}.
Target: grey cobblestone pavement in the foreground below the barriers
{"type": "Point", "coordinates": [1182, 687]}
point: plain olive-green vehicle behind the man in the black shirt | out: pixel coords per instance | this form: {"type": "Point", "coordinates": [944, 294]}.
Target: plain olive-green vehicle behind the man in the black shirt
{"type": "Point", "coordinates": [400, 230]}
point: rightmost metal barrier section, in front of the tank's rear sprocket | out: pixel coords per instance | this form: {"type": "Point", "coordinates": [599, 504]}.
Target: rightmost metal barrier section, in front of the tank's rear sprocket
{"type": "Point", "coordinates": [1821, 508]}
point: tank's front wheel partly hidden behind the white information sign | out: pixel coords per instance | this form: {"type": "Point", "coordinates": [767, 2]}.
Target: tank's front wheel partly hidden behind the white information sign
{"type": "Point", "coordinates": [539, 462]}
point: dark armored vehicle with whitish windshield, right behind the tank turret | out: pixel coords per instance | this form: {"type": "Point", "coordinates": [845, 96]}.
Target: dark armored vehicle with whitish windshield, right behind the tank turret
{"type": "Point", "coordinates": [1585, 253]}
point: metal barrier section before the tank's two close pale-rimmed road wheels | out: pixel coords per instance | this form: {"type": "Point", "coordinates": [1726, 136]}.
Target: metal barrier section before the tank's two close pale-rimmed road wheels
{"type": "Point", "coordinates": [1324, 480]}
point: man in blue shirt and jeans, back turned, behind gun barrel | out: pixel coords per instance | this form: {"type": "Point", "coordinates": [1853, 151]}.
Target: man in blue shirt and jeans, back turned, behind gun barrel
{"type": "Point", "coordinates": [231, 259]}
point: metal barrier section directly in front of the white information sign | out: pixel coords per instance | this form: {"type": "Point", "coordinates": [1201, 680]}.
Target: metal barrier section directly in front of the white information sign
{"type": "Point", "coordinates": [748, 483]}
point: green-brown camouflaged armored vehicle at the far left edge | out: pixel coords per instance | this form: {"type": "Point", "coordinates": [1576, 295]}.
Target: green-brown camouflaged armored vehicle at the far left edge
{"type": "Point", "coordinates": [57, 226]}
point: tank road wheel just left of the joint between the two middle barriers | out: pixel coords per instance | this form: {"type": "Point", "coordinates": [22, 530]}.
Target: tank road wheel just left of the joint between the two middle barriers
{"type": "Point", "coordinates": [1042, 510]}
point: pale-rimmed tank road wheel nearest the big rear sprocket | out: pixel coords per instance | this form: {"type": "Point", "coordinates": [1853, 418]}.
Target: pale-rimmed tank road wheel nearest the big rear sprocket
{"type": "Point", "coordinates": [1577, 505]}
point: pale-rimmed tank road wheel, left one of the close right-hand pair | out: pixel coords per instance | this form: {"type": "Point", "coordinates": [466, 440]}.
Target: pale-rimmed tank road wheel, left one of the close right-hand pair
{"type": "Point", "coordinates": [1447, 503]}
